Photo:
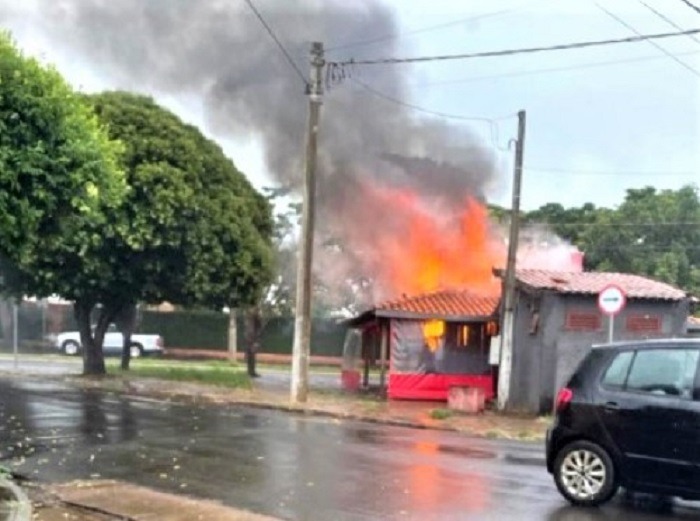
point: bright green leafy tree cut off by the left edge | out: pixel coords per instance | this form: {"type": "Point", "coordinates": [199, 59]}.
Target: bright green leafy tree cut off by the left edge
{"type": "Point", "coordinates": [60, 183]}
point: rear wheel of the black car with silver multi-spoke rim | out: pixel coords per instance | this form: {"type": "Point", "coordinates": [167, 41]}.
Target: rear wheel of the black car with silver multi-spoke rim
{"type": "Point", "coordinates": [584, 474]}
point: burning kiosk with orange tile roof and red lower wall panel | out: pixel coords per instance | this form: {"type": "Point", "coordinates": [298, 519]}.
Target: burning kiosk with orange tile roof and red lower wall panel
{"type": "Point", "coordinates": [423, 345]}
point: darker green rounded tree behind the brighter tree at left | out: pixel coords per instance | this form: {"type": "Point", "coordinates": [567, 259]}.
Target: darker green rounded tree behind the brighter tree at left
{"type": "Point", "coordinates": [196, 232]}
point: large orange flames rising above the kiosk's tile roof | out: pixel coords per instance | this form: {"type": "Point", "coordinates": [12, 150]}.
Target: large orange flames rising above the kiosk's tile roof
{"type": "Point", "coordinates": [422, 248]}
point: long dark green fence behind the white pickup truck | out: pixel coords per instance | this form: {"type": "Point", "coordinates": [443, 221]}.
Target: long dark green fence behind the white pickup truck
{"type": "Point", "coordinates": [40, 321]}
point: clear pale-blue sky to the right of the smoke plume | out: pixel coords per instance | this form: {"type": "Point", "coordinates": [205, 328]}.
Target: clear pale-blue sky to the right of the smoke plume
{"type": "Point", "coordinates": [592, 131]}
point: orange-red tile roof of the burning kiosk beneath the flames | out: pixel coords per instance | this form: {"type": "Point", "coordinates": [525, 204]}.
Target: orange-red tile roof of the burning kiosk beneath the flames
{"type": "Point", "coordinates": [442, 304]}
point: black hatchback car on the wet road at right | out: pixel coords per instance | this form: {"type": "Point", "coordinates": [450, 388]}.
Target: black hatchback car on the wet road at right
{"type": "Point", "coordinates": [630, 417]}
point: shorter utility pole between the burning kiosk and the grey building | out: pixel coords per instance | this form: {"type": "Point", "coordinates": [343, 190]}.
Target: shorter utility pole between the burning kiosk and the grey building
{"type": "Point", "coordinates": [507, 319]}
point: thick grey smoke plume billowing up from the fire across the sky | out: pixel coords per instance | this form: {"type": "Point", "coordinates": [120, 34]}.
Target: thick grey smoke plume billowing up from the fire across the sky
{"type": "Point", "coordinates": [217, 51]}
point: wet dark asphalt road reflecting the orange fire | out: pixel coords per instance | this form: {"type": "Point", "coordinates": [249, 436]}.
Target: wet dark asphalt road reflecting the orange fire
{"type": "Point", "coordinates": [289, 466]}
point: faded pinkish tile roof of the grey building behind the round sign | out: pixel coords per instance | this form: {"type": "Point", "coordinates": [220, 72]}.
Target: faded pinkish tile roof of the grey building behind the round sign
{"type": "Point", "coordinates": [591, 282]}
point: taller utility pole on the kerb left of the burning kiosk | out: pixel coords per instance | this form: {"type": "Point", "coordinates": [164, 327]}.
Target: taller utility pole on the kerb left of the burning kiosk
{"type": "Point", "coordinates": [302, 321]}
